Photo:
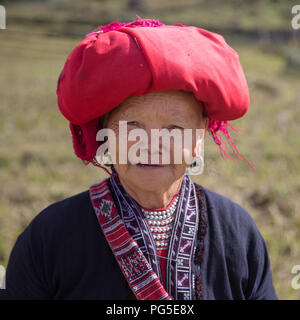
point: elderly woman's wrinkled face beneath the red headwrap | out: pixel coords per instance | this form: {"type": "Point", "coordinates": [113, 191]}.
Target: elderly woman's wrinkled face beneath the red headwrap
{"type": "Point", "coordinates": [157, 110]}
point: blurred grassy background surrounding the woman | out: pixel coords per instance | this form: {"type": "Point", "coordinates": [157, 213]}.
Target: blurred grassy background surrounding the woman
{"type": "Point", "coordinates": [37, 162]}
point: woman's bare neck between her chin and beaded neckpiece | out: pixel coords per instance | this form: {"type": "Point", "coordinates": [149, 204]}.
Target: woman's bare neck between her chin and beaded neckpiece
{"type": "Point", "coordinates": [155, 199]}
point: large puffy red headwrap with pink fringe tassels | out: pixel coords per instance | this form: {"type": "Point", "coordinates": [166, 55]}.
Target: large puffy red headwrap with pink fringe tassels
{"type": "Point", "coordinates": [130, 59]}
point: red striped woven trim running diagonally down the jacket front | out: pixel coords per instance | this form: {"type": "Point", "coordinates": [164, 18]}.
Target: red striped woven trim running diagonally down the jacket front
{"type": "Point", "coordinates": [139, 274]}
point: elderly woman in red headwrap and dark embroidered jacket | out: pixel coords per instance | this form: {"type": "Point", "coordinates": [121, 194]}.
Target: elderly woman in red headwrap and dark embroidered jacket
{"type": "Point", "coordinates": [147, 231]}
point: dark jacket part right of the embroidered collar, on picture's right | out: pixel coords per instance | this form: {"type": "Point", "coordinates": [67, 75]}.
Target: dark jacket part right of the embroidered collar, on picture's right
{"type": "Point", "coordinates": [236, 264]}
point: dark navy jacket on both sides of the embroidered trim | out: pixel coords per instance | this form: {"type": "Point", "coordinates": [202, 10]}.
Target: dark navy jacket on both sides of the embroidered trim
{"type": "Point", "coordinates": [63, 254]}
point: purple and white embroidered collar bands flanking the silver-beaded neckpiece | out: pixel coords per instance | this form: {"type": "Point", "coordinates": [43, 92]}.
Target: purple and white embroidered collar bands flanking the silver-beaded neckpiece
{"type": "Point", "coordinates": [180, 280]}
